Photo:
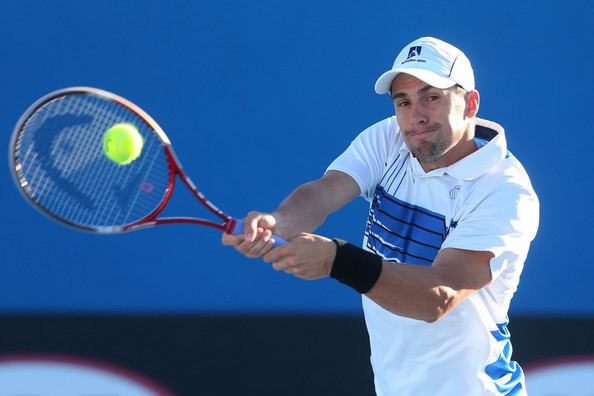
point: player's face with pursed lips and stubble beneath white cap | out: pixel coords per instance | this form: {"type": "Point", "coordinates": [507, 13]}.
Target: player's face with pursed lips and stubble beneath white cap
{"type": "Point", "coordinates": [433, 121]}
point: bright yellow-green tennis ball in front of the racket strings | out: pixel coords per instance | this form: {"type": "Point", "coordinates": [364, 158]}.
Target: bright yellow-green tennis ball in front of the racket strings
{"type": "Point", "coordinates": [122, 143]}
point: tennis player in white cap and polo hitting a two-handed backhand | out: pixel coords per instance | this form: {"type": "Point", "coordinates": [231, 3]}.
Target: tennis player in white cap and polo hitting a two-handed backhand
{"type": "Point", "coordinates": [452, 215]}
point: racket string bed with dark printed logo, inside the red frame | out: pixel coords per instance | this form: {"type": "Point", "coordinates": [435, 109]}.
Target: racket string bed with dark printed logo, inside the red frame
{"type": "Point", "coordinates": [65, 171]}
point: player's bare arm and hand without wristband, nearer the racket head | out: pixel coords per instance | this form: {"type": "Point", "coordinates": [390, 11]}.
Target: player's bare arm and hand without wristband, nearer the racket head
{"type": "Point", "coordinates": [305, 209]}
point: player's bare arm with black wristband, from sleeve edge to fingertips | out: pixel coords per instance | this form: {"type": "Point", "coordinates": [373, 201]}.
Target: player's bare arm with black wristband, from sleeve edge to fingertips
{"type": "Point", "coordinates": [414, 291]}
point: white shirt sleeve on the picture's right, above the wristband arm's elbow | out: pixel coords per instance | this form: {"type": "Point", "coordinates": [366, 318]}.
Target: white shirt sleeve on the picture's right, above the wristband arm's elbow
{"type": "Point", "coordinates": [504, 223]}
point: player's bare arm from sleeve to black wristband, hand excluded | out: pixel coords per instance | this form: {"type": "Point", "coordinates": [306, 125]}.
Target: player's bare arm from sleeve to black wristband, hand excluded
{"type": "Point", "coordinates": [414, 291]}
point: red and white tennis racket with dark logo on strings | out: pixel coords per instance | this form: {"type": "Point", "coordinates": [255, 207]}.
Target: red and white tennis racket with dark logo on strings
{"type": "Point", "coordinates": [58, 163]}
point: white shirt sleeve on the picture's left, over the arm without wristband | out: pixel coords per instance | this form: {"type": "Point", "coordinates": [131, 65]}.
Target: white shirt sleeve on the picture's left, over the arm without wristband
{"type": "Point", "coordinates": [365, 159]}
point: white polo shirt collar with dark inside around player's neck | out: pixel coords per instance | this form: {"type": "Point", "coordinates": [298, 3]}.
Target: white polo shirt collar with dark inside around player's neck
{"type": "Point", "coordinates": [475, 164]}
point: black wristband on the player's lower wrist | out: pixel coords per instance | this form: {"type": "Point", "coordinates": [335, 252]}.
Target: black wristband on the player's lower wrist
{"type": "Point", "coordinates": [355, 267]}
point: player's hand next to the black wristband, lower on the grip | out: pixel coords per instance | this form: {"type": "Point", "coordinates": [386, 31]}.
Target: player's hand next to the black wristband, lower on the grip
{"type": "Point", "coordinates": [307, 256]}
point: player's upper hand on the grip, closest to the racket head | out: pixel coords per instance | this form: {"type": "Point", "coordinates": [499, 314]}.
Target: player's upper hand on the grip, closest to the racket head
{"type": "Point", "coordinates": [257, 238]}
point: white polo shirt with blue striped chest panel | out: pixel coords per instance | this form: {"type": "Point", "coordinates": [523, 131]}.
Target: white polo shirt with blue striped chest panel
{"type": "Point", "coordinates": [483, 202]}
